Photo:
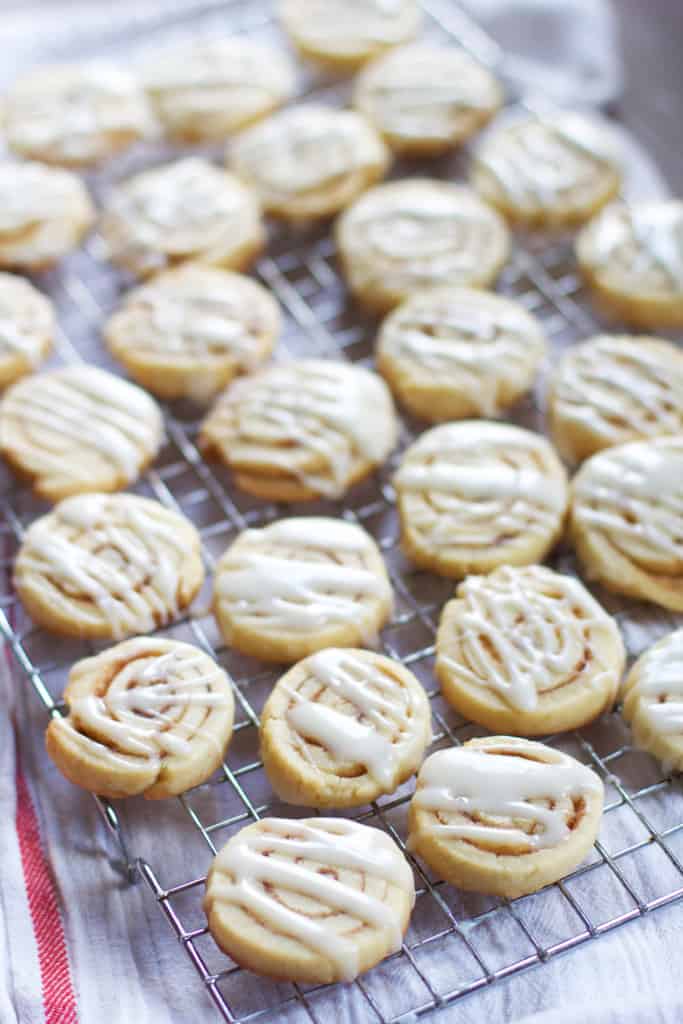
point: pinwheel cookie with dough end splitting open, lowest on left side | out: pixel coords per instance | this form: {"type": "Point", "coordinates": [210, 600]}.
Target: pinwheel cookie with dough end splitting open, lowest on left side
{"type": "Point", "coordinates": [149, 717]}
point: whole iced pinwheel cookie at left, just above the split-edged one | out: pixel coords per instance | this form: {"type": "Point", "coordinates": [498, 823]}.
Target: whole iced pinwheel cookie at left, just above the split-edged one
{"type": "Point", "coordinates": [108, 566]}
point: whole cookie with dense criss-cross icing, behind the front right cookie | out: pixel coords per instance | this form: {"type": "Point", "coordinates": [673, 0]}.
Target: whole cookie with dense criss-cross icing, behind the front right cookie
{"type": "Point", "coordinates": [528, 652]}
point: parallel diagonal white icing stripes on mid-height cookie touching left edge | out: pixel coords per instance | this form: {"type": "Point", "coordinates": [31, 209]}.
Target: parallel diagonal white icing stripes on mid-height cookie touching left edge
{"type": "Point", "coordinates": [83, 409]}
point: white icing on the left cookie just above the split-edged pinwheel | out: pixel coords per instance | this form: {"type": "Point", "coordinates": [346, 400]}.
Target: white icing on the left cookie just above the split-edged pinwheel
{"type": "Point", "coordinates": [116, 553]}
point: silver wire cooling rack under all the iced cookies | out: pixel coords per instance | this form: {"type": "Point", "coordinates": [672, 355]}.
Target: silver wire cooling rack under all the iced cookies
{"type": "Point", "coordinates": [457, 944]}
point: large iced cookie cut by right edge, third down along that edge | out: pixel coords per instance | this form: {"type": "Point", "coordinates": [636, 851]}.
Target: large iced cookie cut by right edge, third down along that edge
{"type": "Point", "coordinates": [627, 511]}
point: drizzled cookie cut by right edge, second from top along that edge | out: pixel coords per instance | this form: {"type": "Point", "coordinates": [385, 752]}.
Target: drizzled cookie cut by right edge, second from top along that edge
{"type": "Point", "coordinates": [614, 390]}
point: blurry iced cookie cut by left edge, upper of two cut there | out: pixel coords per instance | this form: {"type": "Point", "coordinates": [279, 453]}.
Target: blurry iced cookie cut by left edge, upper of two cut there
{"type": "Point", "coordinates": [45, 214]}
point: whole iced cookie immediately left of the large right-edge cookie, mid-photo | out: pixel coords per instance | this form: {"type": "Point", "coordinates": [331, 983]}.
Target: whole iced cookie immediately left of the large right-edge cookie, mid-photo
{"type": "Point", "coordinates": [476, 495]}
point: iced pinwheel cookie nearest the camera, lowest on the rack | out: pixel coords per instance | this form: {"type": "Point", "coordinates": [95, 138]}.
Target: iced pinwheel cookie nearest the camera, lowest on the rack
{"type": "Point", "coordinates": [315, 901]}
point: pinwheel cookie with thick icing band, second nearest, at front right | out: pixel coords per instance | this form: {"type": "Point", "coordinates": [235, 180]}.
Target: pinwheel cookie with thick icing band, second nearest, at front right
{"type": "Point", "coordinates": [504, 817]}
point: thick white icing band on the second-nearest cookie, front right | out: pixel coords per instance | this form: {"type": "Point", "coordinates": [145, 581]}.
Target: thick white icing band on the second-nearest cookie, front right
{"type": "Point", "coordinates": [502, 782]}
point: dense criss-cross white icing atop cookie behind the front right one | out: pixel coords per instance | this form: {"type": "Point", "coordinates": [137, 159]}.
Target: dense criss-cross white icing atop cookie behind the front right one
{"type": "Point", "coordinates": [520, 634]}
